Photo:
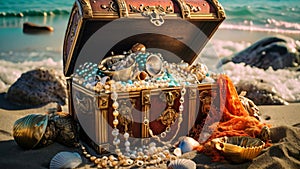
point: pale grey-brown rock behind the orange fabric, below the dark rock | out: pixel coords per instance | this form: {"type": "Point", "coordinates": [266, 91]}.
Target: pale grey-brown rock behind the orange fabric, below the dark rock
{"type": "Point", "coordinates": [260, 93]}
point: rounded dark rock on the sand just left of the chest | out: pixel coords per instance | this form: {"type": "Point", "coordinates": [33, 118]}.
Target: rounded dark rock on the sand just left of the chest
{"type": "Point", "coordinates": [38, 87]}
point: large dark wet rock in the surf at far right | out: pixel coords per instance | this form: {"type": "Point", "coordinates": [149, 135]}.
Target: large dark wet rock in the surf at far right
{"type": "Point", "coordinates": [276, 52]}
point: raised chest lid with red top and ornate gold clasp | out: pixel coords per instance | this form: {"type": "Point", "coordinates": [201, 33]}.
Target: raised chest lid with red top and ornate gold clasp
{"type": "Point", "coordinates": [178, 29]}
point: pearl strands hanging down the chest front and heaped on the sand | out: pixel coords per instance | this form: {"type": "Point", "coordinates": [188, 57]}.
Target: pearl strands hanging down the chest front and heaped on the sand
{"type": "Point", "coordinates": [150, 155]}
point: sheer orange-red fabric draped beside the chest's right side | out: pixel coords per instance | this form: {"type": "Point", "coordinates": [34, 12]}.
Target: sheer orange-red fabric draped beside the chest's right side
{"type": "Point", "coordinates": [228, 117]}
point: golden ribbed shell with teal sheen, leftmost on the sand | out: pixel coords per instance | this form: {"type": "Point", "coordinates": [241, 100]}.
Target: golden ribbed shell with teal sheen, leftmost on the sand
{"type": "Point", "coordinates": [29, 130]}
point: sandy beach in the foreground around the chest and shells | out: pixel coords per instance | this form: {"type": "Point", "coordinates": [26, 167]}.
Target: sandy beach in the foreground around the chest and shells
{"type": "Point", "coordinates": [285, 131]}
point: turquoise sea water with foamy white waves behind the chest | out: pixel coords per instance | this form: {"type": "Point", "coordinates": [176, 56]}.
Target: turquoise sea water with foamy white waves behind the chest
{"type": "Point", "coordinates": [246, 22]}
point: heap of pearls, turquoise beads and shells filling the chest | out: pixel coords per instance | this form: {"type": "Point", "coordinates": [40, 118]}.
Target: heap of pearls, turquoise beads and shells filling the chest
{"type": "Point", "coordinates": [137, 70]}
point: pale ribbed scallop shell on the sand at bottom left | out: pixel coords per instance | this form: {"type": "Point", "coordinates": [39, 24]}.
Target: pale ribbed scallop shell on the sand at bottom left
{"type": "Point", "coordinates": [65, 160]}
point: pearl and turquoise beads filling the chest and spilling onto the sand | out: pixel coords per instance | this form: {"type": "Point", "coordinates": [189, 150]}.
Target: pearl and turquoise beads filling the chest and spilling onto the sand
{"type": "Point", "coordinates": [168, 75]}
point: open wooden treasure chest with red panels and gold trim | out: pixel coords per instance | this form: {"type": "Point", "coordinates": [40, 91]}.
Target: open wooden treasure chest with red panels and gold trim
{"type": "Point", "coordinates": [93, 109]}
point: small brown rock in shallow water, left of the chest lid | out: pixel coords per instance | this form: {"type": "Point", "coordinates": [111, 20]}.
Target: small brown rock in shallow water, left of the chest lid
{"type": "Point", "coordinates": [31, 28]}
